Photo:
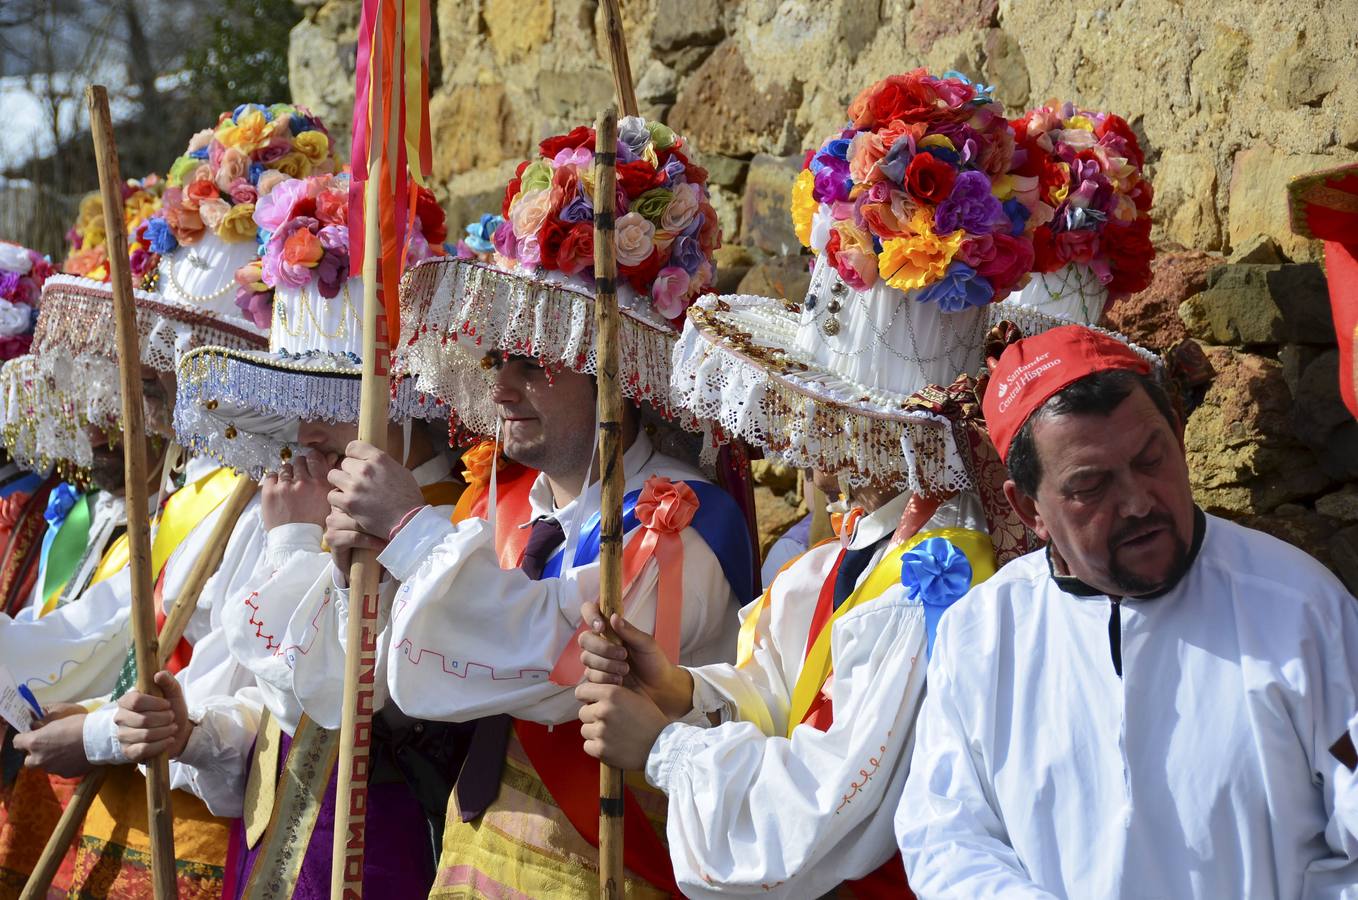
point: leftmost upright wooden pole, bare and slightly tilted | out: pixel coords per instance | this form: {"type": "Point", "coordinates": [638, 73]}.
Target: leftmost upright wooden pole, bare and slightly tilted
{"type": "Point", "coordinates": [160, 818]}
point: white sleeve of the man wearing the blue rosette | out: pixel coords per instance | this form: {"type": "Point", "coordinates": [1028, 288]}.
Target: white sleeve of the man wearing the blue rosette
{"type": "Point", "coordinates": [794, 818]}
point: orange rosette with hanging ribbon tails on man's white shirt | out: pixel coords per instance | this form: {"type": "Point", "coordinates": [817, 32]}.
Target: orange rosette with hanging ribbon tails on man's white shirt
{"type": "Point", "coordinates": [663, 511]}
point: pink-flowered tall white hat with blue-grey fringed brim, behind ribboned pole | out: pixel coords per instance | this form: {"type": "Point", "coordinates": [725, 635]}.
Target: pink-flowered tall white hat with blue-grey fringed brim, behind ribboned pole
{"type": "Point", "coordinates": [242, 407]}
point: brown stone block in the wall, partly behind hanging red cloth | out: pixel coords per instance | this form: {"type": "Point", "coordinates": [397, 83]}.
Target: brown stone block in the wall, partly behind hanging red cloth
{"type": "Point", "coordinates": [1255, 305]}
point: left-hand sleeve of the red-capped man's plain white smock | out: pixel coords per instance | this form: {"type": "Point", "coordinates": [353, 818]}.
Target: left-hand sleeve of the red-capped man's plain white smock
{"type": "Point", "coordinates": [953, 841]}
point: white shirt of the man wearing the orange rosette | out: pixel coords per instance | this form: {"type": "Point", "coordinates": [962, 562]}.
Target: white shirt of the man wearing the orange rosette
{"type": "Point", "coordinates": [471, 639]}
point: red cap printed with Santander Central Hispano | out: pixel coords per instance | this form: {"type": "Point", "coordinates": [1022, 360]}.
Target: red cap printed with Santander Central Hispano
{"type": "Point", "coordinates": [1034, 370]}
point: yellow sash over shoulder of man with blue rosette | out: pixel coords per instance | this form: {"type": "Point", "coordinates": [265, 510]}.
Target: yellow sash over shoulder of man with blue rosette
{"type": "Point", "coordinates": [818, 666]}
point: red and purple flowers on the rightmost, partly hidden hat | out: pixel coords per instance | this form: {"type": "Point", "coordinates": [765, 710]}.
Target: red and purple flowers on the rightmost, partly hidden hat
{"type": "Point", "coordinates": [1084, 169]}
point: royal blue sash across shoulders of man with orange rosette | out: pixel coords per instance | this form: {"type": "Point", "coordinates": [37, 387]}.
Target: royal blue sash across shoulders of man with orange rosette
{"type": "Point", "coordinates": [718, 521]}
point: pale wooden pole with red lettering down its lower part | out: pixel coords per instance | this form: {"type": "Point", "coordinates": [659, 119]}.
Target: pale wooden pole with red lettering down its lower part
{"type": "Point", "coordinates": [365, 572]}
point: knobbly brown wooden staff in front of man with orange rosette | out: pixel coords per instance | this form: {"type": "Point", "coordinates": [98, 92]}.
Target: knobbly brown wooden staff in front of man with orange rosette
{"type": "Point", "coordinates": [610, 469]}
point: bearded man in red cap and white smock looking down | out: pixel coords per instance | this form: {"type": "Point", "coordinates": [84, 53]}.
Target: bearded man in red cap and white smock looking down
{"type": "Point", "coordinates": [1145, 708]}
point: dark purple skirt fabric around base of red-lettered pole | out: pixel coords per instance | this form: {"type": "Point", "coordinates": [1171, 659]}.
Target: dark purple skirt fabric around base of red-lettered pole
{"type": "Point", "coordinates": [399, 861]}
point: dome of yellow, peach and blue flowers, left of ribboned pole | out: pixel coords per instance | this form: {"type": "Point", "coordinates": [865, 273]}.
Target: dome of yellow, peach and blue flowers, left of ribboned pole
{"type": "Point", "coordinates": [215, 187]}
